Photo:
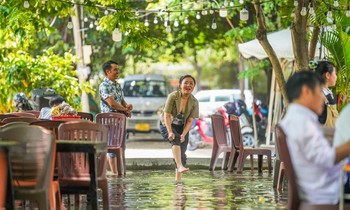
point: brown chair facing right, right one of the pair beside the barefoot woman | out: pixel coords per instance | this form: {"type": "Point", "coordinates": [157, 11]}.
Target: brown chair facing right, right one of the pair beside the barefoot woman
{"type": "Point", "coordinates": [240, 152]}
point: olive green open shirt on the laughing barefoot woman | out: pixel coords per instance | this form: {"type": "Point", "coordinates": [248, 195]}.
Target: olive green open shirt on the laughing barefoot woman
{"type": "Point", "coordinates": [172, 106]}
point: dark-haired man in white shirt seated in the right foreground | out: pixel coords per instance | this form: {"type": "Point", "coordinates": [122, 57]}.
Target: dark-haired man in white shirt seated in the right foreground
{"type": "Point", "coordinates": [316, 163]}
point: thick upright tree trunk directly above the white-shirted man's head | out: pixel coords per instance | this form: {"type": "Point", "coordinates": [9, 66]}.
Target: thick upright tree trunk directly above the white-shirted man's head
{"type": "Point", "coordinates": [299, 40]}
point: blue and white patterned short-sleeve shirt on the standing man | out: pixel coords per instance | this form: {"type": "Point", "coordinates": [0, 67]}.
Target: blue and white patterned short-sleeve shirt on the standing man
{"type": "Point", "coordinates": [112, 89]}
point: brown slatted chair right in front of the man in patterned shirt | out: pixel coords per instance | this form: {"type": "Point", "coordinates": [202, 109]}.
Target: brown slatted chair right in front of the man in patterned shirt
{"type": "Point", "coordinates": [116, 136]}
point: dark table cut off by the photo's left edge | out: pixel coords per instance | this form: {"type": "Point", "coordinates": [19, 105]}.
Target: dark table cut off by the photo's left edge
{"type": "Point", "coordinates": [5, 146]}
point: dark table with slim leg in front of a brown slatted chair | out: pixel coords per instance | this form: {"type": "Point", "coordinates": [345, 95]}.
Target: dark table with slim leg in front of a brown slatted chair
{"type": "Point", "coordinates": [90, 147]}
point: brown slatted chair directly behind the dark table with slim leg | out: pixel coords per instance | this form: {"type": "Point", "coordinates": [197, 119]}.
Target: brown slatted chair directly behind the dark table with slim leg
{"type": "Point", "coordinates": [73, 168]}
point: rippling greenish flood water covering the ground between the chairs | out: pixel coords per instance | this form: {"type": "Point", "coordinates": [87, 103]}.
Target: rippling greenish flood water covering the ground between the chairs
{"type": "Point", "coordinates": [199, 189]}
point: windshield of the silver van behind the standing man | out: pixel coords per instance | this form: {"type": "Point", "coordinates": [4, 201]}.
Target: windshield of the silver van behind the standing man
{"type": "Point", "coordinates": [144, 88]}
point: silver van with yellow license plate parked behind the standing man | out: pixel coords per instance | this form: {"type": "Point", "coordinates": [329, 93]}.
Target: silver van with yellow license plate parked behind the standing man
{"type": "Point", "coordinates": [147, 93]}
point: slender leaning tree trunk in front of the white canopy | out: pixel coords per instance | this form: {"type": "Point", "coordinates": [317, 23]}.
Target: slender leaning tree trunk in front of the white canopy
{"type": "Point", "coordinates": [261, 36]}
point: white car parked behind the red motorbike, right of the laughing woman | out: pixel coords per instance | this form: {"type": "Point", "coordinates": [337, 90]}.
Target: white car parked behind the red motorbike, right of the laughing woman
{"type": "Point", "coordinates": [211, 100]}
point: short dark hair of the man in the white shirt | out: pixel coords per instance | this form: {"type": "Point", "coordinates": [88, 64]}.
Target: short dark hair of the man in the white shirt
{"type": "Point", "coordinates": [296, 82]}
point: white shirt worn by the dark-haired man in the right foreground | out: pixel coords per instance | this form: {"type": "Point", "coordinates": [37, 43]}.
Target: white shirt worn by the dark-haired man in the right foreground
{"type": "Point", "coordinates": [312, 156]}
